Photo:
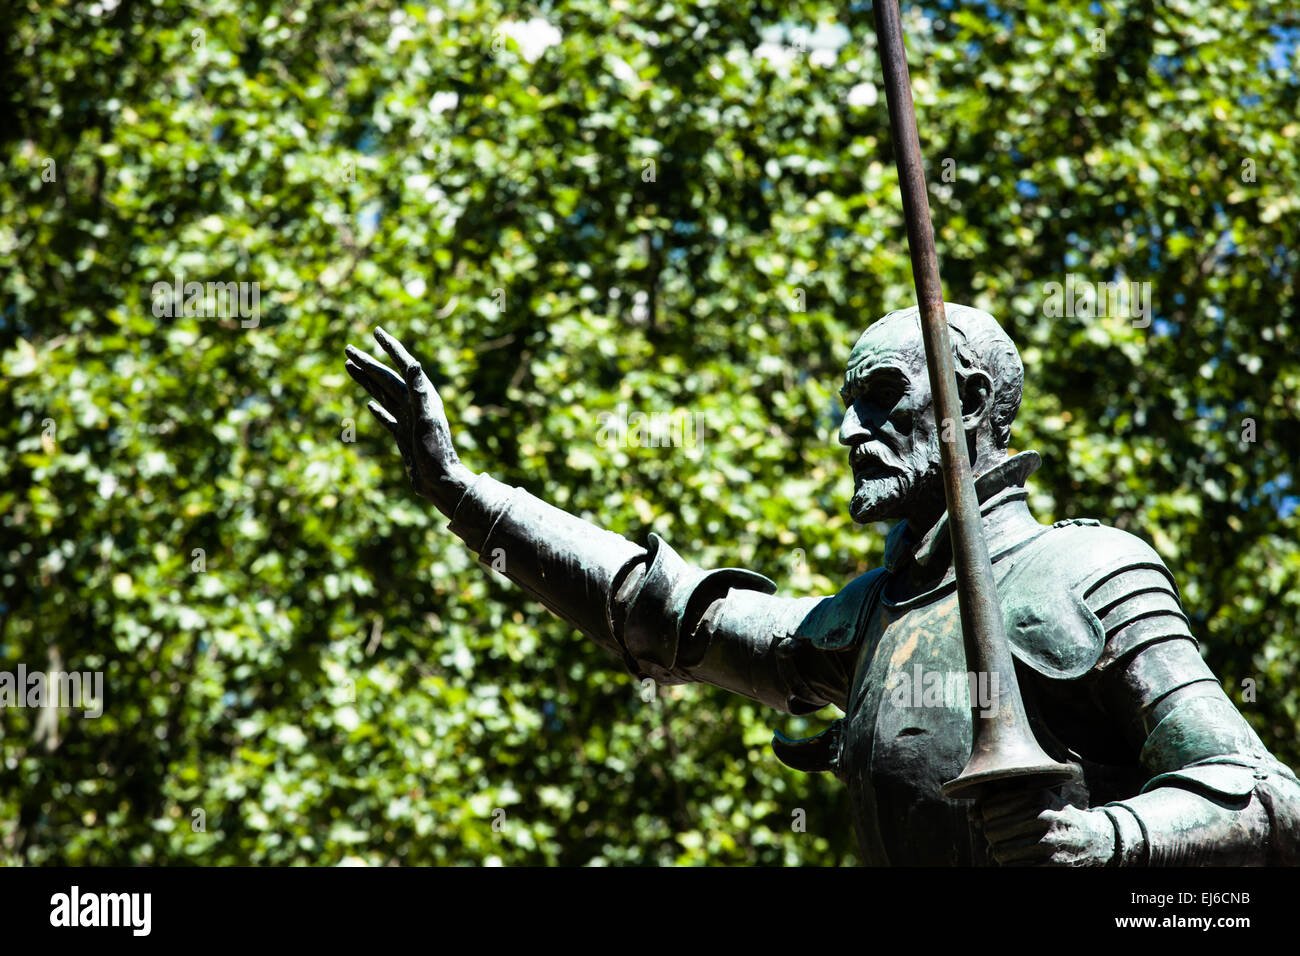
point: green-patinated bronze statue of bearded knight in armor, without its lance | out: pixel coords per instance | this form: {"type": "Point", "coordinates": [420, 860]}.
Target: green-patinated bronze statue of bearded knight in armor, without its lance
{"type": "Point", "coordinates": [1111, 674]}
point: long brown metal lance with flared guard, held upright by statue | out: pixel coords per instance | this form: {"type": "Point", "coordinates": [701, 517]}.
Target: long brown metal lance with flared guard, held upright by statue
{"type": "Point", "coordinates": [1004, 746]}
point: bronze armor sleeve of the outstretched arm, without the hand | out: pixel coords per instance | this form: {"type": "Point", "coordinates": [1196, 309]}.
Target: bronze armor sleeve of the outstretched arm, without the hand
{"type": "Point", "coordinates": [666, 620]}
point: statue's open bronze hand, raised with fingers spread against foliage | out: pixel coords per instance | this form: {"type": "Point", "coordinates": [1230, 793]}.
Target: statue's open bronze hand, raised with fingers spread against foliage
{"type": "Point", "coordinates": [410, 408]}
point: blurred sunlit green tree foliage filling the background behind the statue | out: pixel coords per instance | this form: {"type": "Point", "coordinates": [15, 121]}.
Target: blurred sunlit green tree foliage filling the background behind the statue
{"type": "Point", "coordinates": [566, 207]}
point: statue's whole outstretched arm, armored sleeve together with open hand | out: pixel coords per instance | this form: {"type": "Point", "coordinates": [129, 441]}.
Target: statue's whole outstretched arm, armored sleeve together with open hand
{"type": "Point", "coordinates": [665, 618]}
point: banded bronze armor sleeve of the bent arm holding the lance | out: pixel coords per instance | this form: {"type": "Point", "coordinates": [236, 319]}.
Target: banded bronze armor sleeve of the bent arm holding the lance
{"type": "Point", "coordinates": [1215, 795]}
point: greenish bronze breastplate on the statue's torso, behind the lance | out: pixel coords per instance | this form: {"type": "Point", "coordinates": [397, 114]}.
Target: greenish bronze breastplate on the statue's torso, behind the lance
{"type": "Point", "coordinates": [908, 723]}
